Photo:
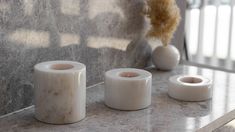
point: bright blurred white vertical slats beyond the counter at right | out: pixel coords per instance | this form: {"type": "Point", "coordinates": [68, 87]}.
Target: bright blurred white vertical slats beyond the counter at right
{"type": "Point", "coordinates": [210, 34]}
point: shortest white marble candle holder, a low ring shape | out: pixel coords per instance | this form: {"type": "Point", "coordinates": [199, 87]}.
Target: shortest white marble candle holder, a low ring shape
{"type": "Point", "coordinates": [190, 87]}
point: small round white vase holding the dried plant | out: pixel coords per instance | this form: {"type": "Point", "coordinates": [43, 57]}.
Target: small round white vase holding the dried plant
{"type": "Point", "coordinates": [166, 57]}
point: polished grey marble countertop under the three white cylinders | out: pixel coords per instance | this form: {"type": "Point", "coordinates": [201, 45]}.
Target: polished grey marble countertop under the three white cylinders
{"type": "Point", "coordinates": [164, 115]}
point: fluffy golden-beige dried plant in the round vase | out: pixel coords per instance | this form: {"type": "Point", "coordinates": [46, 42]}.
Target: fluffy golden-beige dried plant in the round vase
{"type": "Point", "coordinates": [164, 17]}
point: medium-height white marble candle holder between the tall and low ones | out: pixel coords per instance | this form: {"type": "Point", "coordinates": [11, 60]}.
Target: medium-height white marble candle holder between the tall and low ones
{"type": "Point", "coordinates": [128, 88]}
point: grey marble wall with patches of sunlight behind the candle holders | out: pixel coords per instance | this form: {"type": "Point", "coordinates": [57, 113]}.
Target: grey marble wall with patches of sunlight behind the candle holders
{"type": "Point", "coordinates": [102, 34]}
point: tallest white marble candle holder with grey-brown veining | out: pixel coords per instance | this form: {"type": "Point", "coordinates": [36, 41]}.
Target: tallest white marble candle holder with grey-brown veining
{"type": "Point", "coordinates": [60, 91]}
